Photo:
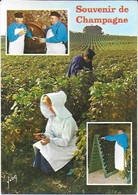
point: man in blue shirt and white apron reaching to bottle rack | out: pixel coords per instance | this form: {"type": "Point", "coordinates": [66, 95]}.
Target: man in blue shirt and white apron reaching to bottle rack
{"type": "Point", "coordinates": [120, 150]}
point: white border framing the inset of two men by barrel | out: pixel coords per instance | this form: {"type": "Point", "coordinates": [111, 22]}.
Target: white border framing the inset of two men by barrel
{"type": "Point", "coordinates": [68, 25]}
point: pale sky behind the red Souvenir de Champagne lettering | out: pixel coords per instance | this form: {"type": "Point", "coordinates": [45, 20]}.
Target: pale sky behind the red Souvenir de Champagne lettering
{"type": "Point", "coordinates": [130, 28]}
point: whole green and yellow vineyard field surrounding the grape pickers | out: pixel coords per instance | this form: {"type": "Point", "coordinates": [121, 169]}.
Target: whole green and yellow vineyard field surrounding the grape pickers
{"type": "Point", "coordinates": [107, 95]}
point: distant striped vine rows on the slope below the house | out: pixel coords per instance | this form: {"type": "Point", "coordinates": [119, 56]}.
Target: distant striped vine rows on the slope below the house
{"type": "Point", "coordinates": [98, 42]}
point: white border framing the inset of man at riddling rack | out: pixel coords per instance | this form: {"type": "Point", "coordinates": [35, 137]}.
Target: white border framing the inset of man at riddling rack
{"type": "Point", "coordinates": [87, 150]}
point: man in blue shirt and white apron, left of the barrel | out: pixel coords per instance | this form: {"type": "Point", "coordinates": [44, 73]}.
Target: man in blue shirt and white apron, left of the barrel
{"type": "Point", "coordinates": [16, 35]}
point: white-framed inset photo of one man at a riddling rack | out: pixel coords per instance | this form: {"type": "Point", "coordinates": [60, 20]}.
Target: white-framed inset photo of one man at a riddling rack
{"type": "Point", "coordinates": [109, 153]}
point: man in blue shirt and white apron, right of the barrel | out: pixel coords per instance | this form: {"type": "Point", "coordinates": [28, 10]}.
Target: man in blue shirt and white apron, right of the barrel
{"type": "Point", "coordinates": [56, 35]}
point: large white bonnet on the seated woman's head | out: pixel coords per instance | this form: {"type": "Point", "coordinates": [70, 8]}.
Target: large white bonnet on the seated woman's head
{"type": "Point", "coordinates": [58, 100]}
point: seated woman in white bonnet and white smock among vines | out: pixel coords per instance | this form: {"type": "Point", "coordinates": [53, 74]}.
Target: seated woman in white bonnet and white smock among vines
{"type": "Point", "coordinates": [58, 145]}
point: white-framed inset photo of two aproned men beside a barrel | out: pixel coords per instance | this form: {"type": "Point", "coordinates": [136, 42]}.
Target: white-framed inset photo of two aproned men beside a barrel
{"type": "Point", "coordinates": [37, 32]}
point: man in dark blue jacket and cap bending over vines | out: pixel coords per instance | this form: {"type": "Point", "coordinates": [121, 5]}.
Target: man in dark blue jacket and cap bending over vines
{"type": "Point", "coordinates": [80, 62]}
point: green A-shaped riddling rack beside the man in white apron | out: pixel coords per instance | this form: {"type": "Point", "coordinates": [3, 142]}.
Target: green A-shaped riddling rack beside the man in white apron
{"type": "Point", "coordinates": [102, 156]}
